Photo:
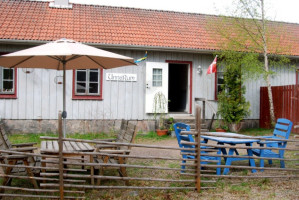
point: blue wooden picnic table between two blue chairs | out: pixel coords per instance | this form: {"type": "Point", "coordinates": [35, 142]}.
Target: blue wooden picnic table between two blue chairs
{"type": "Point", "coordinates": [229, 139]}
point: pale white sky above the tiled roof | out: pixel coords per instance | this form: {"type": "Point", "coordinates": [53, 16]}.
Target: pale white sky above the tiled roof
{"type": "Point", "coordinates": [278, 10]}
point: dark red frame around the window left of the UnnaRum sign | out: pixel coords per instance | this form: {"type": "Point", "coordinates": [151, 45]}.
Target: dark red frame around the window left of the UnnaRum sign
{"type": "Point", "coordinates": [88, 97]}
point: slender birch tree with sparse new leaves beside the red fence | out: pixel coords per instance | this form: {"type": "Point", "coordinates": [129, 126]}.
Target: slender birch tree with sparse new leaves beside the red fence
{"type": "Point", "coordinates": [250, 31]}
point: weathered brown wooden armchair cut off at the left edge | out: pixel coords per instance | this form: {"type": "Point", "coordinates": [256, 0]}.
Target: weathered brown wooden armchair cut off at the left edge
{"type": "Point", "coordinates": [15, 159]}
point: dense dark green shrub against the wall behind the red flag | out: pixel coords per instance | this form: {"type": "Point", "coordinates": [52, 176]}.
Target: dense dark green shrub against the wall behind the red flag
{"type": "Point", "coordinates": [232, 105]}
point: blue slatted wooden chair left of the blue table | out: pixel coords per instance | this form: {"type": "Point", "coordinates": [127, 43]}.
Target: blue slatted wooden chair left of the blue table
{"type": "Point", "coordinates": [178, 127]}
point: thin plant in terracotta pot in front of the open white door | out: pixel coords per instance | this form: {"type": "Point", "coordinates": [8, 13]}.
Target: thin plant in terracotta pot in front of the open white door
{"type": "Point", "coordinates": [160, 108]}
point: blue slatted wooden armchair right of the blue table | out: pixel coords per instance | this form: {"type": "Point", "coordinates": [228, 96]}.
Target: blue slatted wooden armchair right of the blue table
{"type": "Point", "coordinates": [282, 130]}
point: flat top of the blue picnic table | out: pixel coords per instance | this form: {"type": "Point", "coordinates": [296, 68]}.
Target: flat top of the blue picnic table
{"type": "Point", "coordinates": [229, 139]}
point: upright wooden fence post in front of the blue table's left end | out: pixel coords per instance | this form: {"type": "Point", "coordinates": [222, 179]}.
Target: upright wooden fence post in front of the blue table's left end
{"type": "Point", "coordinates": [197, 140]}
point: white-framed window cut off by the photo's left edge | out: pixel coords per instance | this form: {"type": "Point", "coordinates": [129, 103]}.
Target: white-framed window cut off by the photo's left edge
{"type": "Point", "coordinates": [7, 81]}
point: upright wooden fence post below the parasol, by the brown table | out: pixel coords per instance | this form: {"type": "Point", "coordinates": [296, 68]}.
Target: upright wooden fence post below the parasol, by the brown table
{"type": "Point", "coordinates": [60, 144]}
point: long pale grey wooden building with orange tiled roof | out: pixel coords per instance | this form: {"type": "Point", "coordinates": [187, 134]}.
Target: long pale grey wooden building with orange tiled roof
{"type": "Point", "coordinates": [178, 53]}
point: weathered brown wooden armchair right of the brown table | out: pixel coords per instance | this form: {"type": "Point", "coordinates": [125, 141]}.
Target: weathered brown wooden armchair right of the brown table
{"type": "Point", "coordinates": [126, 135]}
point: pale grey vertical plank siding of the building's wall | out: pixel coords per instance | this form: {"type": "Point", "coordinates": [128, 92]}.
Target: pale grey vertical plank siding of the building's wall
{"type": "Point", "coordinates": [40, 98]}
